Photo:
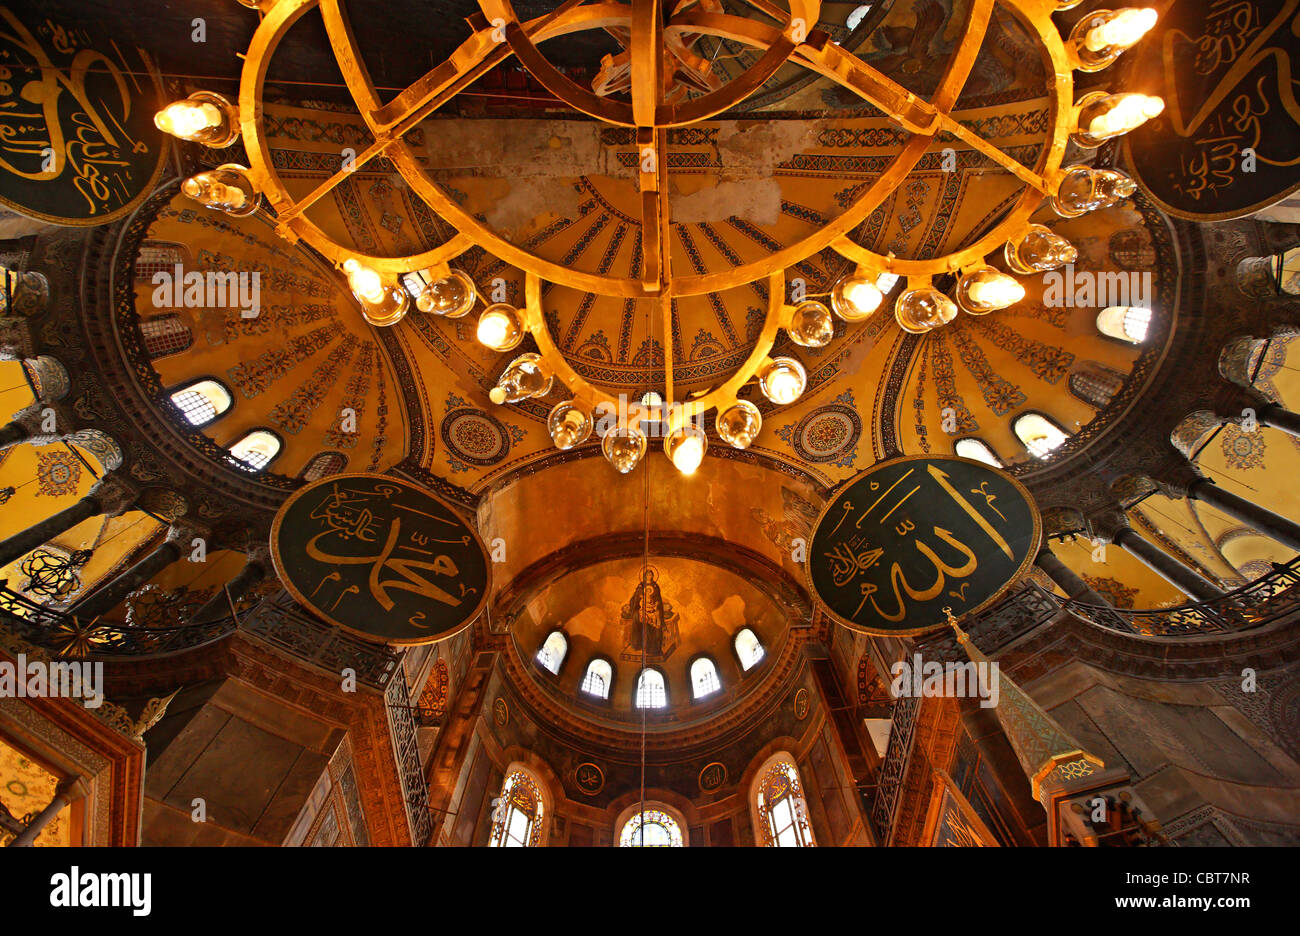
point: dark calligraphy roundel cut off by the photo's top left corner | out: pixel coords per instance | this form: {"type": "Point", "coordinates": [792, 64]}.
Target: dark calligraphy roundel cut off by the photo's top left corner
{"type": "Point", "coordinates": [77, 137]}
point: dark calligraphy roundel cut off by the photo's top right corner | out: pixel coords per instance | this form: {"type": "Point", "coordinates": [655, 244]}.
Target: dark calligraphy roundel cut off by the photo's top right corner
{"type": "Point", "coordinates": [1229, 141]}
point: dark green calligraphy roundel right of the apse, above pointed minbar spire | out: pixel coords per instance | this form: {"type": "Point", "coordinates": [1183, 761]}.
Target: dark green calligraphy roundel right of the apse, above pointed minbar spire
{"type": "Point", "coordinates": [916, 535]}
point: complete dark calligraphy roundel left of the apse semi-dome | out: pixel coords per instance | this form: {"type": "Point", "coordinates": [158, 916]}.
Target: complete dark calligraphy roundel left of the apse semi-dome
{"type": "Point", "coordinates": [382, 558]}
